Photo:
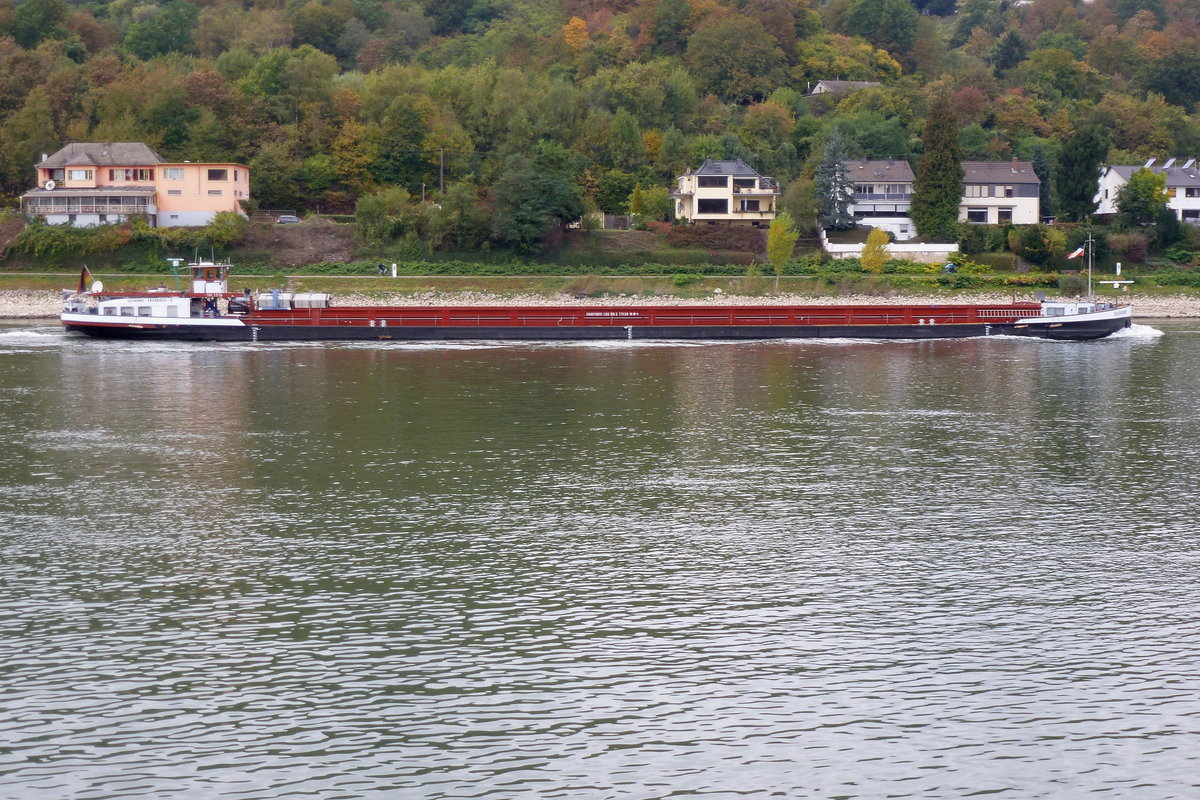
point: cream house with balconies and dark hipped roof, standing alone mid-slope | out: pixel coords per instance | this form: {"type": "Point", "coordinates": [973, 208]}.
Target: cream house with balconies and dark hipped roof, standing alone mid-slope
{"type": "Point", "coordinates": [725, 193]}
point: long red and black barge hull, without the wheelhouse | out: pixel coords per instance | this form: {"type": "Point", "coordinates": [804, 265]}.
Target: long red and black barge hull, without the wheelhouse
{"type": "Point", "coordinates": [572, 323]}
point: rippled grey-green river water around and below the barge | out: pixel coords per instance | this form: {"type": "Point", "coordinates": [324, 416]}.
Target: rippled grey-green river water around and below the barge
{"type": "Point", "coordinates": [583, 572]}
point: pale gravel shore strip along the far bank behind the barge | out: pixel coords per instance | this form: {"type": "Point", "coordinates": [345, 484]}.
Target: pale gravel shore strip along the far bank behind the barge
{"type": "Point", "coordinates": [41, 305]}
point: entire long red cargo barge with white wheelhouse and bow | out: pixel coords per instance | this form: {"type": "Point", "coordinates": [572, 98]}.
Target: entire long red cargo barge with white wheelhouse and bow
{"type": "Point", "coordinates": [211, 312]}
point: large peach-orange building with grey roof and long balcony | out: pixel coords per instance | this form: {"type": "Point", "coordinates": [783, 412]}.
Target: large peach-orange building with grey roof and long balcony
{"type": "Point", "coordinates": [92, 184]}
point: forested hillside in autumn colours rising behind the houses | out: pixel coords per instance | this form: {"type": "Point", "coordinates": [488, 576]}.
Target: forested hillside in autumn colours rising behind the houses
{"type": "Point", "coordinates": [525, 111]}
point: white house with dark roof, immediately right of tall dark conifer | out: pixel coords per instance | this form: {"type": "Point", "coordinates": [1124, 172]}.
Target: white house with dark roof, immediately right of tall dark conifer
{"type": "Point", "coordinates": [1000, 194]}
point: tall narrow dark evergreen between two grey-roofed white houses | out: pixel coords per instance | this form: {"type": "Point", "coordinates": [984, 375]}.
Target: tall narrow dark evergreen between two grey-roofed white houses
{"type": "Point", "coordinates": [938, 190]}
